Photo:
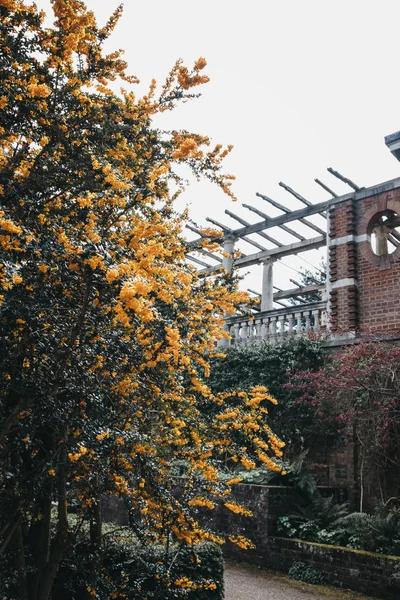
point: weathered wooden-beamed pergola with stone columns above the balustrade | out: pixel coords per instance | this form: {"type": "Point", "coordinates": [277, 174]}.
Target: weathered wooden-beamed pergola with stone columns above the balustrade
{"type": "Point", "coordinates": [315, 238]}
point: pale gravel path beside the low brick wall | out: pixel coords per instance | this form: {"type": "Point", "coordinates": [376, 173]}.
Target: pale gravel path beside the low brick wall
{"type": "Point", "coordinates": [247, 582]}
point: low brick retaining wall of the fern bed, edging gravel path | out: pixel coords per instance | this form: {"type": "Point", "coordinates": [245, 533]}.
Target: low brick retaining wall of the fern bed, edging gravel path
{"type": "Point", "coordinates": [366, 572]}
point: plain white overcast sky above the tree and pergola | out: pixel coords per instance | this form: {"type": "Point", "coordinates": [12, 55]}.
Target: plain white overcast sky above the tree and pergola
{"type": "Point", "coordinates": [296, 87]}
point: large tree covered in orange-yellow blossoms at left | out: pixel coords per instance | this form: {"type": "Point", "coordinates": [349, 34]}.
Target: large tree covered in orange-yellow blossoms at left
{"type": "Point", "coordinates": [105, 329]}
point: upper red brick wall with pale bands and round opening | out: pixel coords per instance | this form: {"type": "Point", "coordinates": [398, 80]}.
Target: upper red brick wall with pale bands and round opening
{"type": "Point", "coordinates": [365, 295]}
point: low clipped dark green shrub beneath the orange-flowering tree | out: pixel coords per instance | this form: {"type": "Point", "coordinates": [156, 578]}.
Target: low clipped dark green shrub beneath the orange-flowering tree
{"type": "Point", "coordinates": [139, 573]}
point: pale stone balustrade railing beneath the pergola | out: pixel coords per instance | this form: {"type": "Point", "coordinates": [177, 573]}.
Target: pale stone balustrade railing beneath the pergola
{"type": "Point", "coordinates": [276, 324]}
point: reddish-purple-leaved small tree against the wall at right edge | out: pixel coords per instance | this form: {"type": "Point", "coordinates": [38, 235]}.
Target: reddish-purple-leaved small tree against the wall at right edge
{"type": "Point", "coordinates": [359, 388]}
